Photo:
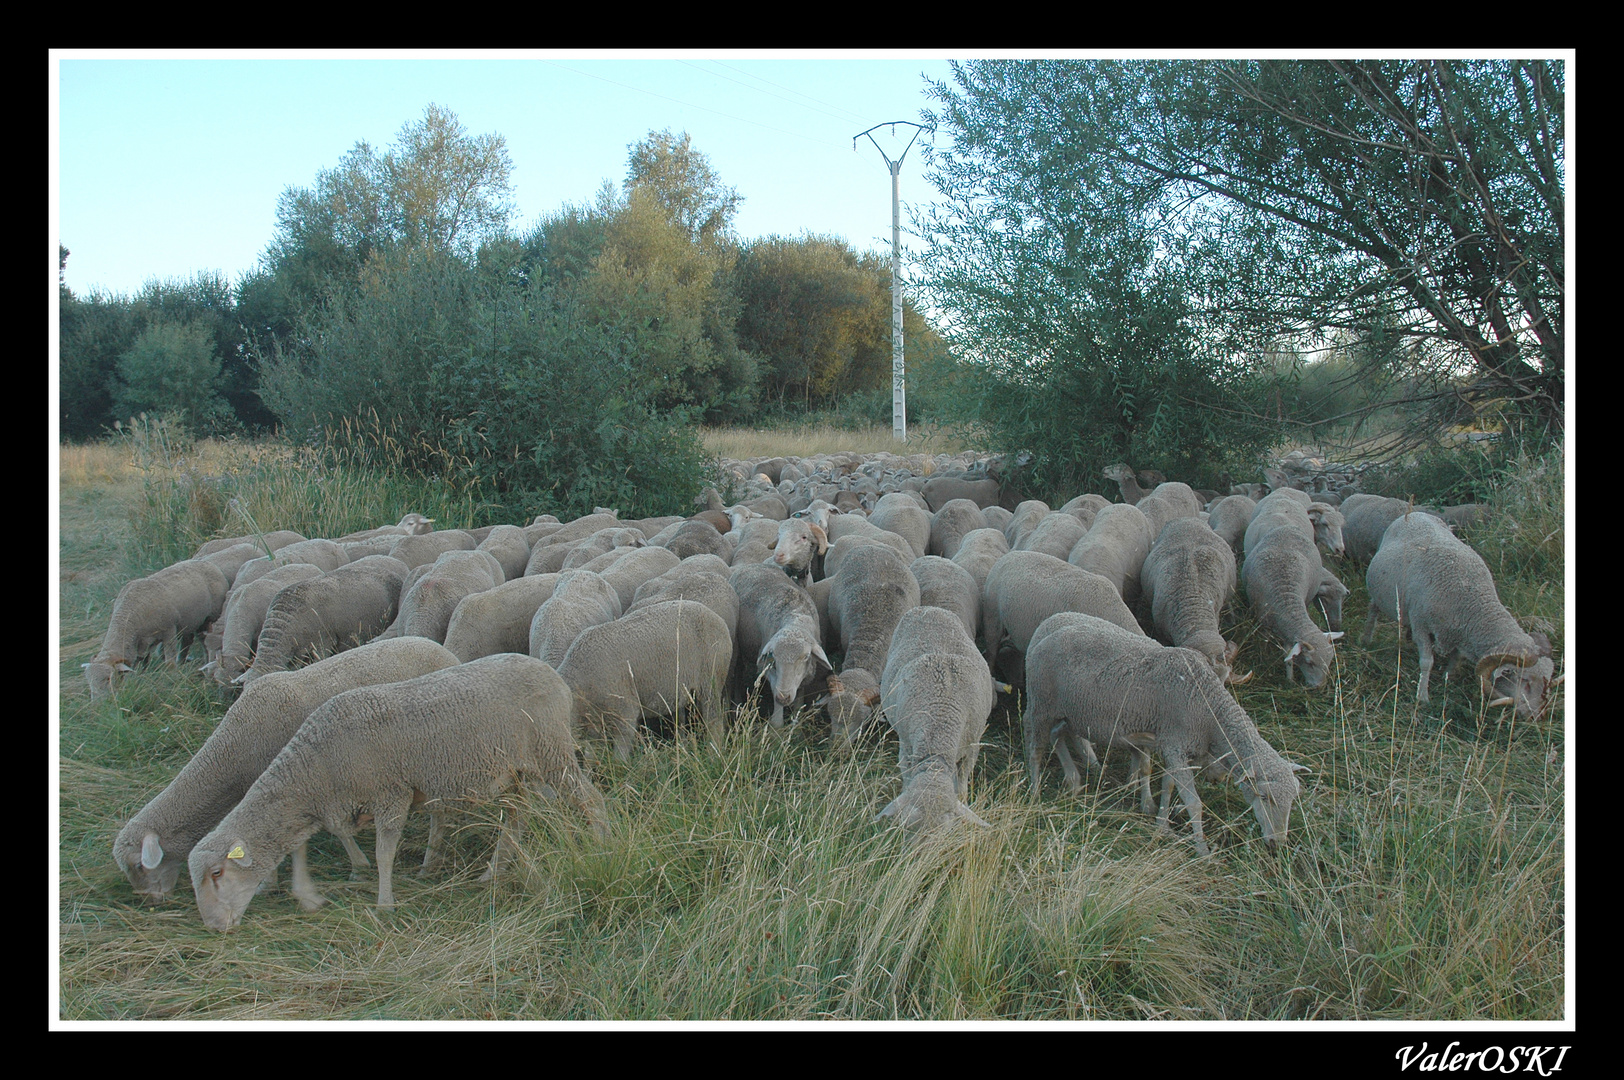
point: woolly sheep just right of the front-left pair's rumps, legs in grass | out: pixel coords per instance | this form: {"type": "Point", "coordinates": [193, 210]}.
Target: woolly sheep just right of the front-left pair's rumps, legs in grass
{"type": "Point", "coordinates": [647, 663]}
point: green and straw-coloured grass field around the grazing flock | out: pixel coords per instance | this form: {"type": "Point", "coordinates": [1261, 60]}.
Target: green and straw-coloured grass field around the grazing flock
{"type": "Point", "coordinates": [1425, 876]}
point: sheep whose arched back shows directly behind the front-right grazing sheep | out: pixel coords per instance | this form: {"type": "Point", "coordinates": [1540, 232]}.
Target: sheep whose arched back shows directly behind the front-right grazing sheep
{"type": "Point", "coordinates": [1027, 587]}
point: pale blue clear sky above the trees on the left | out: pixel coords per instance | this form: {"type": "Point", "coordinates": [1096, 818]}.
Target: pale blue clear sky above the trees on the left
{"type": "Point", "coordinates": [171, 163]}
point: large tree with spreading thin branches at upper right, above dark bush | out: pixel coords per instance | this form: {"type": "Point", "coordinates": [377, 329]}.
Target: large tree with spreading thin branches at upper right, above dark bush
{"type": "Point", "coordinates": [1412, 207]}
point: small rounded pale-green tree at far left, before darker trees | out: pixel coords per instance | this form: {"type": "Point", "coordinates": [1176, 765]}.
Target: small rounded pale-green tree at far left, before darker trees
{"type": "Point", "coordinates": [173, 371]}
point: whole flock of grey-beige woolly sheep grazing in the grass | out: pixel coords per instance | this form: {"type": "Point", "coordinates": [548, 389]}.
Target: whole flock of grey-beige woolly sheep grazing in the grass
{"type": "Point", "coordinates": [454, 665]}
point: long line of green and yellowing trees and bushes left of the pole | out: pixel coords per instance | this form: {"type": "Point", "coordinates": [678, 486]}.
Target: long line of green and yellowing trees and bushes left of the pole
{"type": "Point", "coordinates": [397, 308]}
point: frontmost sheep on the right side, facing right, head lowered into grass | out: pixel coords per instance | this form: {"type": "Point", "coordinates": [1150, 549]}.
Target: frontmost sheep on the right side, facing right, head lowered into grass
{"type": "Point", "coordinates": [1112, 688]}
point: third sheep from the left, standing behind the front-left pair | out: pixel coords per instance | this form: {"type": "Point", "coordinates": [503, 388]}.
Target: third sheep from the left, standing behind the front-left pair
{"type": "Point", "coordinates": [327, 615]}
